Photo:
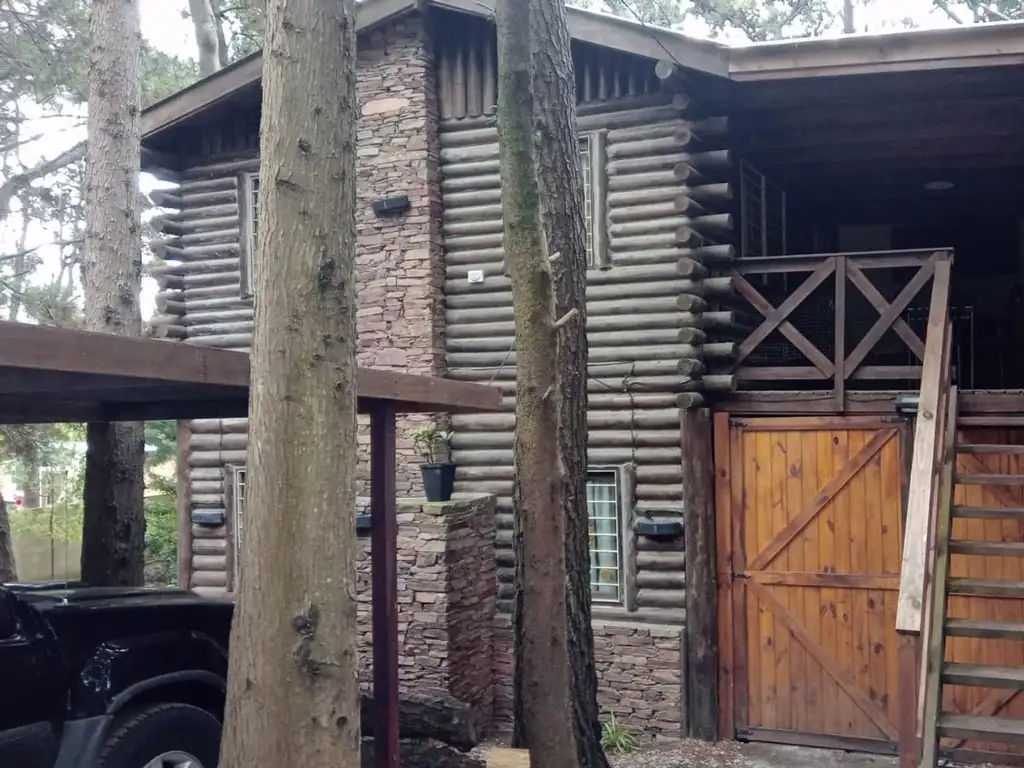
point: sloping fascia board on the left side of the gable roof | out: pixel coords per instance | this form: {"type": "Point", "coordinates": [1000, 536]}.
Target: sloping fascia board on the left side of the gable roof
{"type": "Point", "coordinates": [248, 72]}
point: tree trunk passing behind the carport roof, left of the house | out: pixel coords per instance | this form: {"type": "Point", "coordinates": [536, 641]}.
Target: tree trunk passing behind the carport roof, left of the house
{"type": "Point", "coordinates": [114, 529]}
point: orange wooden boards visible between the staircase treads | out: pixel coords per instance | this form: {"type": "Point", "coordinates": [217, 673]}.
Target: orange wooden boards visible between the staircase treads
{"type": "Point", "coordinates": [1000, 653]}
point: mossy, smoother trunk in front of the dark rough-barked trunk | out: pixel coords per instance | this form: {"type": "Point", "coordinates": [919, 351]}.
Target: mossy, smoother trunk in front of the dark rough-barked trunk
{"type": "Point", "coordinates": [542, 682]}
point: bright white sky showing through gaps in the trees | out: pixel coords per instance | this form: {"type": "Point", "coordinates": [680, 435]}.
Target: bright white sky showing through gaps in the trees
{"type": "Point", "coordinates": [166, 27]}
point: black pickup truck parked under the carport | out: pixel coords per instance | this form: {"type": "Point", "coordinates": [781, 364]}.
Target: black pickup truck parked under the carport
{"type": "Point", "coordinates": [111, 678]}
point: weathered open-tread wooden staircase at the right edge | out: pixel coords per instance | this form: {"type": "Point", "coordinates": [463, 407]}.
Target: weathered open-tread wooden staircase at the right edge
{"type": "Point", "coordinates": [936, 724]}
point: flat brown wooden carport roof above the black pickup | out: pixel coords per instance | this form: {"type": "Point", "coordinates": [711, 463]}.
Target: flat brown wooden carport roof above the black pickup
{"type": "Point", "coordinates": [51, 375]}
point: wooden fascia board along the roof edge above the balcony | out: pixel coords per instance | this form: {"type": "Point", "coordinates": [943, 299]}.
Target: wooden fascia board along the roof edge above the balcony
{"type": "Point", "coordinates": [961, 48]}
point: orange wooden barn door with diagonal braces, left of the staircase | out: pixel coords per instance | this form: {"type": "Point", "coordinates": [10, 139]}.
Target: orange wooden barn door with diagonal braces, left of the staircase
{"type": "Point", "coordinates": [809, 534]}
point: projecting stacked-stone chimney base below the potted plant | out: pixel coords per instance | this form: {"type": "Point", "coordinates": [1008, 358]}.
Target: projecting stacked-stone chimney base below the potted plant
{"type": "Point", "coordinates": [448, 594]}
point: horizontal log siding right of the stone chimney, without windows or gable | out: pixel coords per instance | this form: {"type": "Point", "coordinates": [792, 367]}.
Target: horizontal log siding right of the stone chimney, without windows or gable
{"type": "Point", "coordinates": [639, 362]}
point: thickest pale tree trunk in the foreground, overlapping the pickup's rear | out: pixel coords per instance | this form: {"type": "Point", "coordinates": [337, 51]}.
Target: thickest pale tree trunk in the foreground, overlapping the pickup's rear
{"type": "Point", "coordinates": [293, 696]}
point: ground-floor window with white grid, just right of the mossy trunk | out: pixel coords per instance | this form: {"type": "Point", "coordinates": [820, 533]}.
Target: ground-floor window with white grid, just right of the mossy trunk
{"type": "Point", "coordinates": [605, 513]}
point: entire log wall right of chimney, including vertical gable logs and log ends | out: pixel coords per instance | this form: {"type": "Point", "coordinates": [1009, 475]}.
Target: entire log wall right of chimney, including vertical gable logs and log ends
{"type": "Point", "coordinates": [662, 195]}
